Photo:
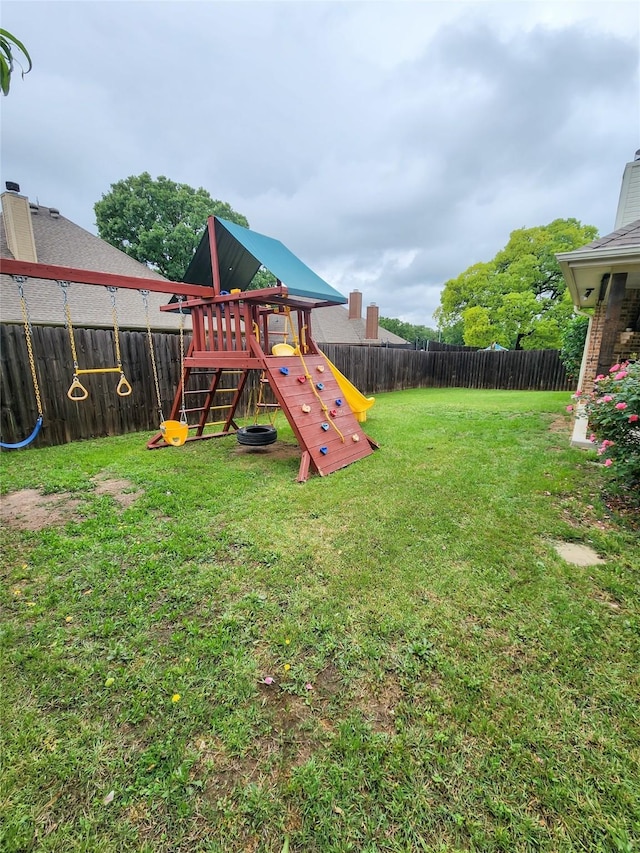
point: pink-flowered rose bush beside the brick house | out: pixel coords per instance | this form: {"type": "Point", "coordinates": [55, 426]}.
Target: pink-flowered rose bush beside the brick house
{"type": "Point", "coordinates": [613, 410]}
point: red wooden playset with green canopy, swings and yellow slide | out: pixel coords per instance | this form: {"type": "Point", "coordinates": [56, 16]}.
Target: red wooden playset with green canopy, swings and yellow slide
{"type": "Point", "coordinates": [232, 335]}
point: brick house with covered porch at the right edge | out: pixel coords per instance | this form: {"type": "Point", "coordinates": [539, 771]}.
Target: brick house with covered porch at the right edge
{"type": "Point", "coordinates": [605, 276]}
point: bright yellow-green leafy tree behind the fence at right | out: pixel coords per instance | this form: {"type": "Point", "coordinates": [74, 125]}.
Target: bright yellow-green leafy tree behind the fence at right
{"type": "Point", "coordinates": [519, 299]}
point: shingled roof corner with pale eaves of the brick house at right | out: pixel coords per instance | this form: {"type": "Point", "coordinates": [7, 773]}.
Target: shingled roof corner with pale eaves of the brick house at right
{"type": "Point", "coordinates": [585, 269]}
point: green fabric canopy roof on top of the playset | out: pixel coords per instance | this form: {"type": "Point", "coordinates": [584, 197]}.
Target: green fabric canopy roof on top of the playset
{"type": "Point", "coordinates": [242, 252]}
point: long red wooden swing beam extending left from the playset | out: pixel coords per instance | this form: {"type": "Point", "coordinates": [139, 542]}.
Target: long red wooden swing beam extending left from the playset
{"type": "Point", "coordinates": [8, 266]}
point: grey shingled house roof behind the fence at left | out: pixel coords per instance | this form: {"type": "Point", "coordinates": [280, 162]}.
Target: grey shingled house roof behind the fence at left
{"type": "Point", "coordinates": [63, 243]}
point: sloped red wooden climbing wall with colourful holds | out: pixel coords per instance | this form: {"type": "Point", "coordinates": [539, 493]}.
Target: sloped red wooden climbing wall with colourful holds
{"type": "Point", "coordinates": [320, 417]}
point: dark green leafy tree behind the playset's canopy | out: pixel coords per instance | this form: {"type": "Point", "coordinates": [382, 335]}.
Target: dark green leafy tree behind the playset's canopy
{"type": "Point", "coordinates": [158, 222]}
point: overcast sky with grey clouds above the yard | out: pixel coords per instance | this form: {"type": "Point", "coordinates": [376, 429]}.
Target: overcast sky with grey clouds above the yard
{"type": "Point", "coordinates": [390, 144]}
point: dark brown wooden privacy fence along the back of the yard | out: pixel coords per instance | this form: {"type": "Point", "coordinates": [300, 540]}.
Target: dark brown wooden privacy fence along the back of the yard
{"type": "Point", "coordinates": [371, 369]}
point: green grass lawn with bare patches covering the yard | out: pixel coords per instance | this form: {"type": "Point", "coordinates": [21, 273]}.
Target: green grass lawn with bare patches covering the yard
{"type": "Point", "coordinates": [442, 679]}
